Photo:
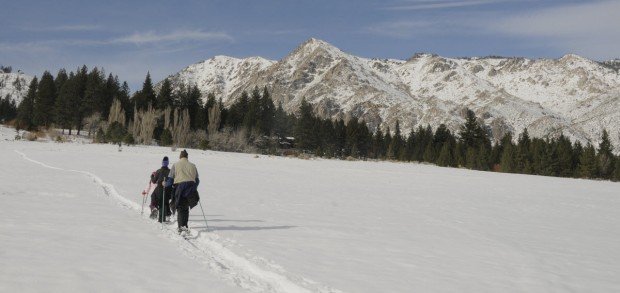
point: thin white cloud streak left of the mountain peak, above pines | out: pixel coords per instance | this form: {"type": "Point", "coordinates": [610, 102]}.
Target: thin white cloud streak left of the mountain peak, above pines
{"type": "Point", "coordinates": [177, 36]}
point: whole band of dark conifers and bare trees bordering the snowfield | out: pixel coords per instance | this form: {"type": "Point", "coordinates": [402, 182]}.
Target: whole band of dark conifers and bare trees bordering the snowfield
{"type": "Point", "coordinates": [253, 123]}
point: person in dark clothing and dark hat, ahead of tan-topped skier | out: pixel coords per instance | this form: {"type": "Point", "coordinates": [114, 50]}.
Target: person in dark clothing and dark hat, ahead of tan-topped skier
{"type": "Point", "coordinates": [158, 204]}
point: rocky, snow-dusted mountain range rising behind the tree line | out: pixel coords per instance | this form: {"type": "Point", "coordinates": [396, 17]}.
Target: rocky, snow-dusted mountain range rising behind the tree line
{"type": "Point", "coordinates": [570, 95]}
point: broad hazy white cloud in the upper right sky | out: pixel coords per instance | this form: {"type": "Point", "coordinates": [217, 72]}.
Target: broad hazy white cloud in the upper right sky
{"type": "Point", "coordinates": [591, 30]}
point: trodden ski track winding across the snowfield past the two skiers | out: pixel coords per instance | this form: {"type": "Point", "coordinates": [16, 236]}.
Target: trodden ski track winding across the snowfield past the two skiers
{"type": "Point", "coordinates": [251, 273]}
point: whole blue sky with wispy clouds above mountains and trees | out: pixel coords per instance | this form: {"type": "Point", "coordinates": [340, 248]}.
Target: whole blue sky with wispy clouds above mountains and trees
{"type": "Point", "coordinates": [162, 37]}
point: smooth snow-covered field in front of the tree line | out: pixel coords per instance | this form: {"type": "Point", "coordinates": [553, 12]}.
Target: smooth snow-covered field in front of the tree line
{"type": "Point", "coordinates": [71, 222]}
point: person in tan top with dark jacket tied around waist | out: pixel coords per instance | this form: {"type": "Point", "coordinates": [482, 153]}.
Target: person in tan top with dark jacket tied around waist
{"type": "Point", "coordinates": [184, 176]}
